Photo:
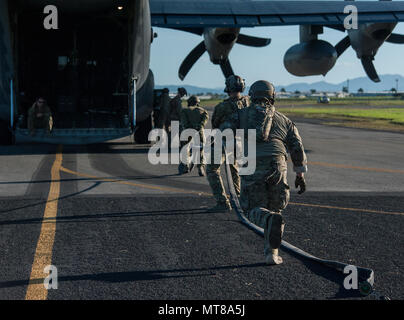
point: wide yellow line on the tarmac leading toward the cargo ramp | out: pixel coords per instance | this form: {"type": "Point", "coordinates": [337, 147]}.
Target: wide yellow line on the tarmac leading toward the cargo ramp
{"type": "Point", "coordinates": [43, 252]}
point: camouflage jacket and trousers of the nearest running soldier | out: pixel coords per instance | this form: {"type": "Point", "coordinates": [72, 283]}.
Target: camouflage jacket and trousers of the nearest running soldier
{"type": "Point", "coordinates": [276, 134]}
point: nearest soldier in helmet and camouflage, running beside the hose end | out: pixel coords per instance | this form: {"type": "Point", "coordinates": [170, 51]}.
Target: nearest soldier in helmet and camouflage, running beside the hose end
{"type": "Point", "coordinates": [266, 193]}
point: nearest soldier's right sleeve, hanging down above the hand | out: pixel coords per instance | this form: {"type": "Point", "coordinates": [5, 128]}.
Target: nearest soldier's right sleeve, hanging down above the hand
{"type": "Point", "coordinates": [296, 150]}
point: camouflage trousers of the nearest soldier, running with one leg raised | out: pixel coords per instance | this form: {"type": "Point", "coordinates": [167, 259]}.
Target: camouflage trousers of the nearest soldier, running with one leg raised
{"type": "Point", "coordinates": [267, 187]}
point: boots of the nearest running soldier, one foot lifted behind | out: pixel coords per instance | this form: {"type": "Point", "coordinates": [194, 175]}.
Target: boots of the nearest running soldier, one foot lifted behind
{"type": "Point", "coordinates": [273, 238]}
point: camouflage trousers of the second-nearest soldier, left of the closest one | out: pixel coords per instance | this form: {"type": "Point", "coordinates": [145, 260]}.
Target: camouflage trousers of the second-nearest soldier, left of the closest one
{"type": "Point", "coordinates": [216, 181]}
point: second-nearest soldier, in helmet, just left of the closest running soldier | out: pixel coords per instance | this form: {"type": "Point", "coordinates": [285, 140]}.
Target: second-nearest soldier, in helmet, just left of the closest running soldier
{"type": "Point", "coordinates": [225, 116]}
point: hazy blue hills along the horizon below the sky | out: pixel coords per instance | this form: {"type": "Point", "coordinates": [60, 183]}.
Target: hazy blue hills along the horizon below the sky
{"type": "Point", "coordinates": [388, 81]}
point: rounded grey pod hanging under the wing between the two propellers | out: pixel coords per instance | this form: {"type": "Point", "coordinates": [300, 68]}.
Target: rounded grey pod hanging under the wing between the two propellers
{"type": "Point", "coordinates": [315, 57]}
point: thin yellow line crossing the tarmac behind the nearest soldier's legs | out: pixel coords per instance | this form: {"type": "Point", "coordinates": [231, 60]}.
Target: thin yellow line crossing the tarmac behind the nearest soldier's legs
{"type": "Point", "coordinates": [208, 194]}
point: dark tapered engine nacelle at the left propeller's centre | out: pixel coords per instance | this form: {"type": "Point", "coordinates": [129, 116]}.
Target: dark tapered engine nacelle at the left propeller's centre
{"type": "Point", "coordinates": [219, 42]}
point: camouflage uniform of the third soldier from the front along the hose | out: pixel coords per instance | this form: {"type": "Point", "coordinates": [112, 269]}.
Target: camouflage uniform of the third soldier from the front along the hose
{"type": "Point", "coordinates": [194, 117]}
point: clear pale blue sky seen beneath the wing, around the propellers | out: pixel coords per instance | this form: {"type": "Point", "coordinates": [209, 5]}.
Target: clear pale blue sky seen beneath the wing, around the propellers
{"type": "Point", "coordinates": [171, 47]}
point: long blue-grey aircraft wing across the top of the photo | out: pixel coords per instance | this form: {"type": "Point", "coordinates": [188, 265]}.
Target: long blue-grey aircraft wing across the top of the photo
{"type": "Point", "coordinates": [252, 13]}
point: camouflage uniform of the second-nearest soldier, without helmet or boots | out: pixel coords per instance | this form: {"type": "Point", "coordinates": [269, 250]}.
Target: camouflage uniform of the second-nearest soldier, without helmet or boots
{"type": "Point", "coordinates": [225, 116]}
